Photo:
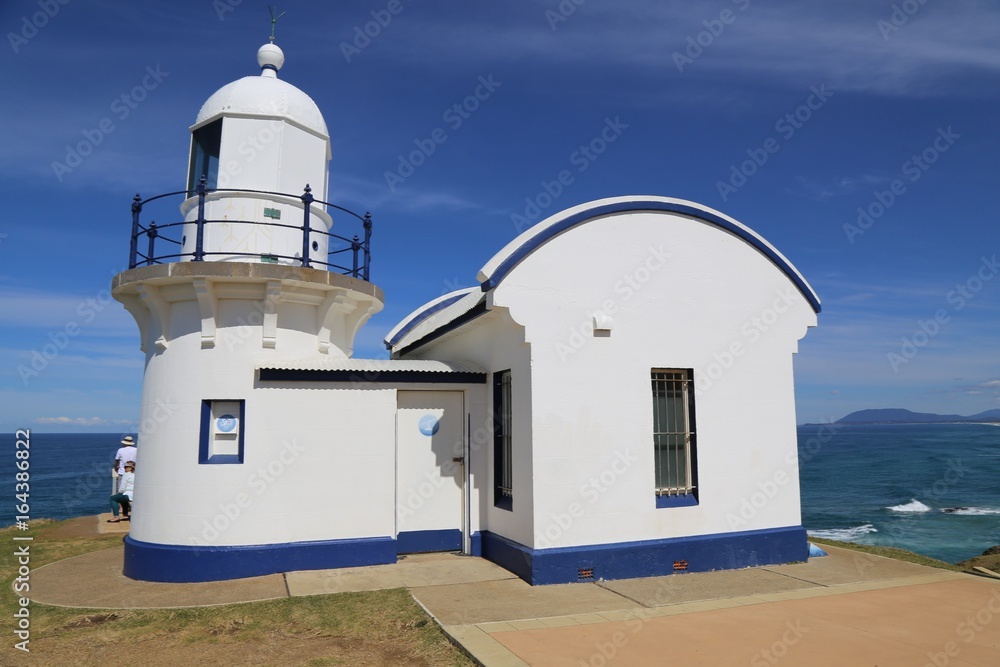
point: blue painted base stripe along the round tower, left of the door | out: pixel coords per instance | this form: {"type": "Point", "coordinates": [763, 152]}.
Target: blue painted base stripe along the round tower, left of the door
{"type": "Point", "coordinates": [179, 563]}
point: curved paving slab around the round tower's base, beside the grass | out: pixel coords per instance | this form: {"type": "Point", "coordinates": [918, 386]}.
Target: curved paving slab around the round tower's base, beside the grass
{"type": "Point", "coordinates": [95, 581]}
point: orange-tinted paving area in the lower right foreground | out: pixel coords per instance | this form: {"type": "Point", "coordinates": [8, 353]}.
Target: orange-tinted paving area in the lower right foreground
{"type": "Point", "coordinates": [887, 627]}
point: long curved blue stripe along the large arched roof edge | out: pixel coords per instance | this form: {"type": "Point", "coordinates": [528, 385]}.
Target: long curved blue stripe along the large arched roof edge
{"type": "Point", "coordinates": [544, 235]}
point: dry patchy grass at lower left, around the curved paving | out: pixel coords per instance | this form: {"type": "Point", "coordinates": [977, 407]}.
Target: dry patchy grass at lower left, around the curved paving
{"type": "Point", "coordinates": [375, 628]}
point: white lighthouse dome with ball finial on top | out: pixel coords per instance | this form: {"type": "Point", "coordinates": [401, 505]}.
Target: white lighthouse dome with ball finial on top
{"type": "Point", "coordinates": [265, 96]}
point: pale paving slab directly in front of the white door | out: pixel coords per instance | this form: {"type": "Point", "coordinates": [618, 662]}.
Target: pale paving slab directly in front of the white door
{"type": "Point", "coordinates": [416, 570]}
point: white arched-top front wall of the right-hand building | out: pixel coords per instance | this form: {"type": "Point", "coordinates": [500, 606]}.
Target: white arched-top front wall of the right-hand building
{"type": "Point", "coordinates": [695, 291]}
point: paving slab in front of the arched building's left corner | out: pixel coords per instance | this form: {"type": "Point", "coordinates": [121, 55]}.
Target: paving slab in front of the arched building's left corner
{"type": "Point", "coordinates": [512, 599]}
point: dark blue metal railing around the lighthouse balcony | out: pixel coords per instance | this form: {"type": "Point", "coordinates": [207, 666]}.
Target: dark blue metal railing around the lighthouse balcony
{"type": "Point", "coordinates": [355, 250]}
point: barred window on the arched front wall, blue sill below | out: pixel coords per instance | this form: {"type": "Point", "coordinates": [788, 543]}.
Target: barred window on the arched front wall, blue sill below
{"type": "Point", "coordinates": [674, 435]}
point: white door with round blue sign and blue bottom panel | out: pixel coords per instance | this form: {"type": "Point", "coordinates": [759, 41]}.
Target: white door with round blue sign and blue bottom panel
{"type": "Point", "coordinates": [430, 470]}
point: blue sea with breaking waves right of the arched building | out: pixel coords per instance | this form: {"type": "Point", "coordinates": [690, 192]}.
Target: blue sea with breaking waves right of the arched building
{"type": "Point", "coordinates": [929, 488]}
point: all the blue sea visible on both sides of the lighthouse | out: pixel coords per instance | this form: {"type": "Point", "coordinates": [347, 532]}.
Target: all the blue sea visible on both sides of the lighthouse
{"type": "Point", "coordinates": [887, 485]}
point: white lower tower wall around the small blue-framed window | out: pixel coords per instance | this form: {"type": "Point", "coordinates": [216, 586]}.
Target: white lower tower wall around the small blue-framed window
{"type": "Point", "coordinates": [319, 462]}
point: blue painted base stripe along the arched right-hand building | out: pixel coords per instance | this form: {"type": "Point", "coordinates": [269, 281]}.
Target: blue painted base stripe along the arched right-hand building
{"type": "Point", "coordinates": [626, 560]}
